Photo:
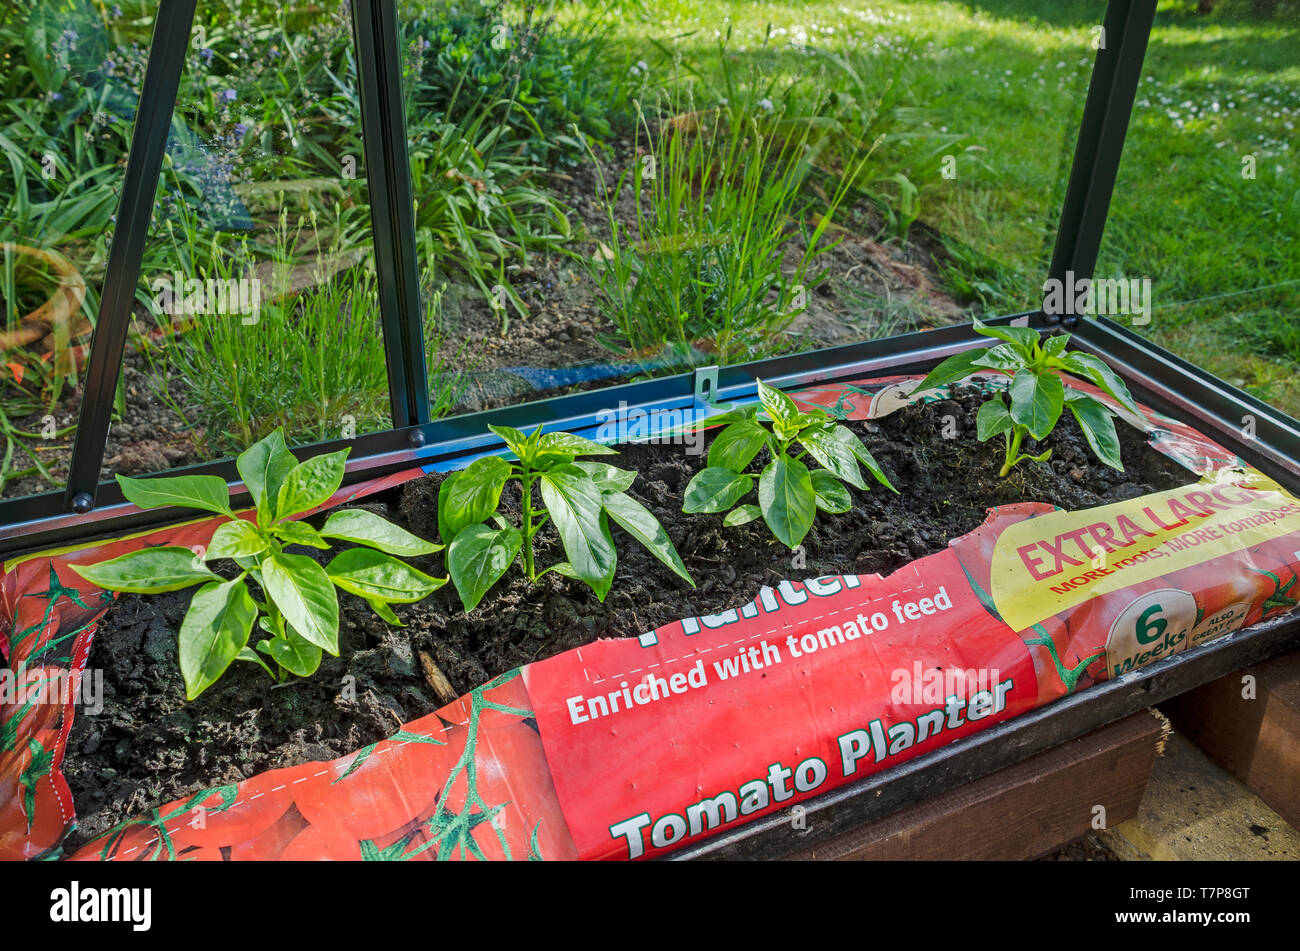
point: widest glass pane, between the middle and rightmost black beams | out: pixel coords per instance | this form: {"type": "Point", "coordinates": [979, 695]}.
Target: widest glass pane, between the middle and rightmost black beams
{"type": "Point", "coordinates": [609, 192]}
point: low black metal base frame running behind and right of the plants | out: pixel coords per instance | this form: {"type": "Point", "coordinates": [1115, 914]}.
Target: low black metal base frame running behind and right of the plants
{"type": "Point", "coordinates": [1156, 377]}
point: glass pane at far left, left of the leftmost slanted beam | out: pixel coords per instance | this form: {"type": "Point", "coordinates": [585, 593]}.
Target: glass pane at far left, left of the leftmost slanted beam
{"type": "Point", "coordinates": [66, 112]}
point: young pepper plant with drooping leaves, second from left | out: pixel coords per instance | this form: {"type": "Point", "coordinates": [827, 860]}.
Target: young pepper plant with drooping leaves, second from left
{"type": "Point", "coordinates": [579, 500]}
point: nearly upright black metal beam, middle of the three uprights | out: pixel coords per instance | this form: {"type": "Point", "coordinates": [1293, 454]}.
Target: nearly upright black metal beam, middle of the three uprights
{"type": "Point", "coordinates": [388, 173]}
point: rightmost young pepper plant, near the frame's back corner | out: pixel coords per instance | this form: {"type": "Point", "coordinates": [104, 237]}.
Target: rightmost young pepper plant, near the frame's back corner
{"type": "Point", "coordinates": [1038, 396]}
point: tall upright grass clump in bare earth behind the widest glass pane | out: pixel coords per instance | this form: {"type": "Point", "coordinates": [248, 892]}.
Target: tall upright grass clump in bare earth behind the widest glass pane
{"type": "Point", "coordinates": [727, 233]}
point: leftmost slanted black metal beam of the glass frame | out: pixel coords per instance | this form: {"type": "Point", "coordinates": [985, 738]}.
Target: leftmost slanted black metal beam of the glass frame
{"type": "Point", "coordinates": [127, 253]}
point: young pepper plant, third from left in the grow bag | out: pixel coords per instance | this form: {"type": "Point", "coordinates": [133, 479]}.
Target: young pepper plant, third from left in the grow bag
{"type": "Point", "coordinates": [790, 493]}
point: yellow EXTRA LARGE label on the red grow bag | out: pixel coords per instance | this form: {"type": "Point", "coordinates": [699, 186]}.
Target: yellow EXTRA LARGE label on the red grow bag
{"type": "Point", "coordinates": [1048, 564]}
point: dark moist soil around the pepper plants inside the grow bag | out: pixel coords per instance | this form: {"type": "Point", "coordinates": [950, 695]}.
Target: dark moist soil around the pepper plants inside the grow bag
{"type": "Point", "coordinates": [149, 746]}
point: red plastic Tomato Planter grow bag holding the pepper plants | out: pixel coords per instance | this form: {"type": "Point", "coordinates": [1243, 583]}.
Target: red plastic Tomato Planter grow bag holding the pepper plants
{"type": "Point", "coordinates": [636, 748]}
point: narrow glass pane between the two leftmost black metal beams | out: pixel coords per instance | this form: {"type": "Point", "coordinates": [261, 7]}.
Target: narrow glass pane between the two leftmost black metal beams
{"type": "Point", "coordinates": [258, 307]}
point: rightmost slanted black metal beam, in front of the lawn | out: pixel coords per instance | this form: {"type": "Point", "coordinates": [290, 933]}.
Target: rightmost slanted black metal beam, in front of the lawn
{"type": "Point", "coordinates": [1112, 90]}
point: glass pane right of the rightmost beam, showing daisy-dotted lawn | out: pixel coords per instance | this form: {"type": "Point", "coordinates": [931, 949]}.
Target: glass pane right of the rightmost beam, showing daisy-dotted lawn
{"type": "Point", "coordinates": [1207, 214]}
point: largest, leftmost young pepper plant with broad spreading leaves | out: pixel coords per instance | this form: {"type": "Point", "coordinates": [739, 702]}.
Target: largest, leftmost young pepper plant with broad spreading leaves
{"type": "Point", "coordinates": [300, 607]}
